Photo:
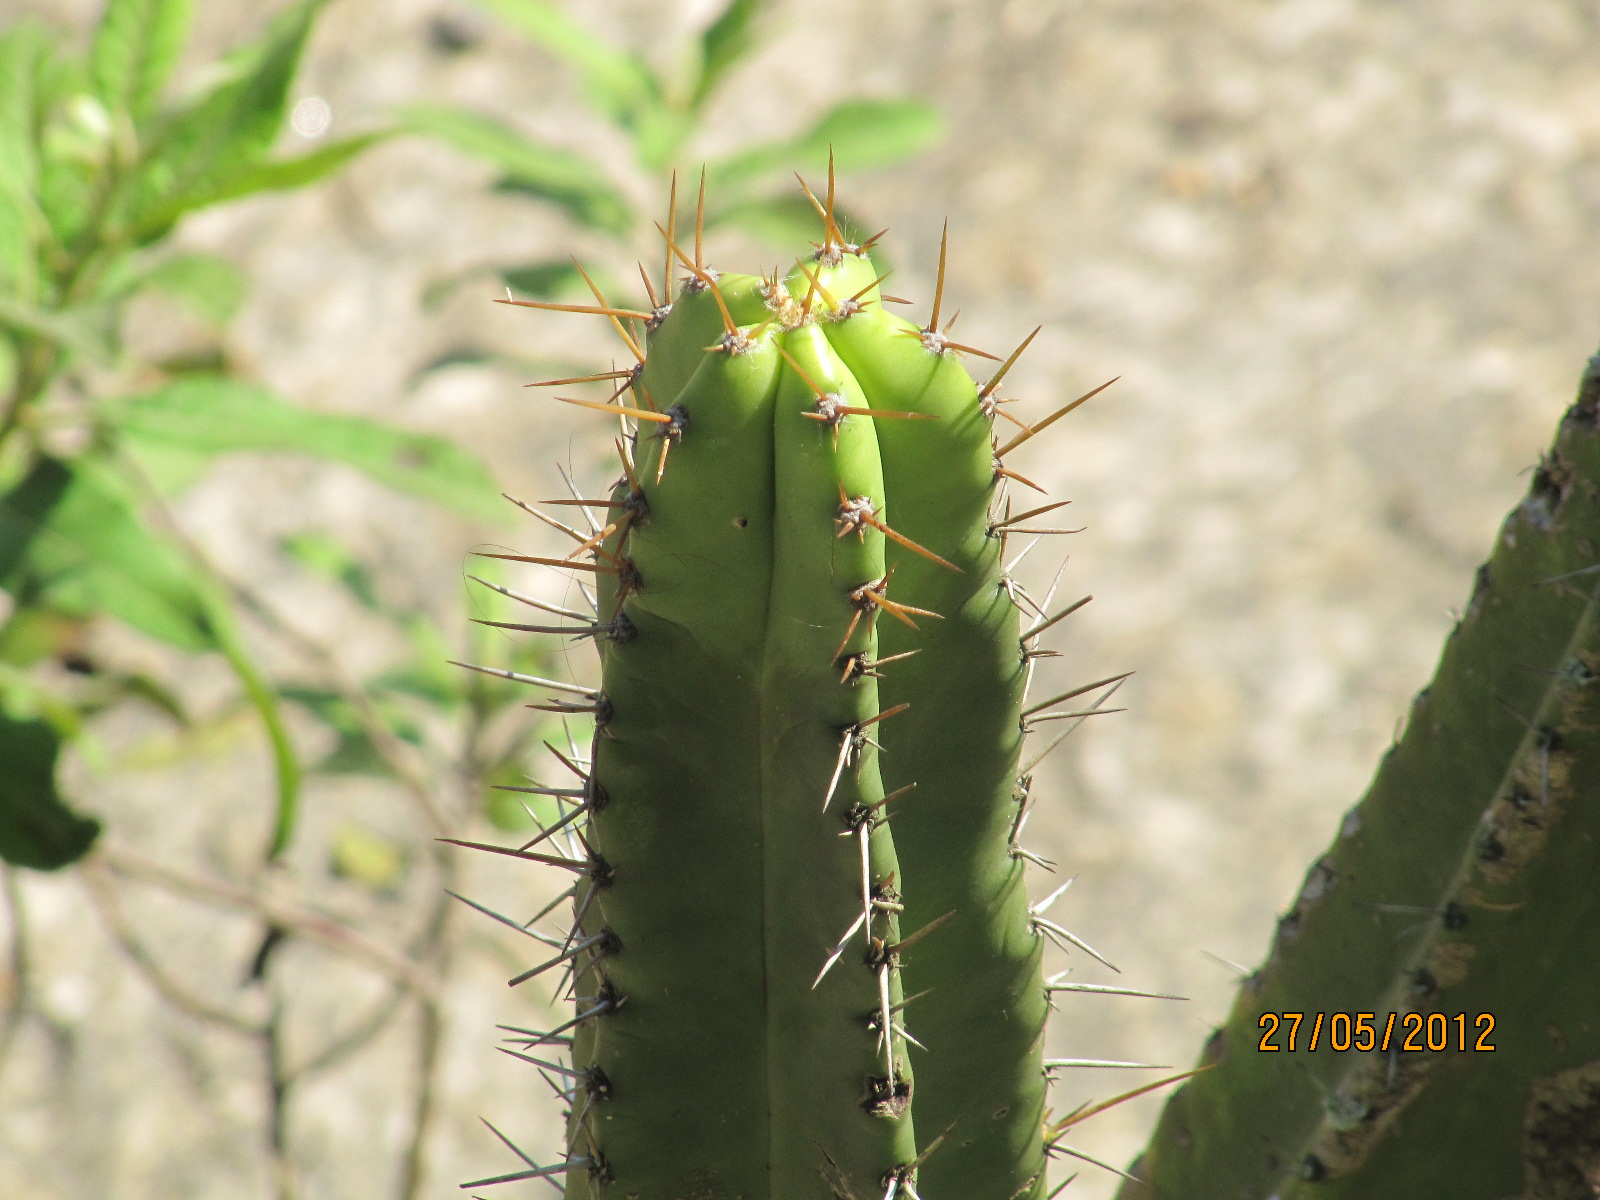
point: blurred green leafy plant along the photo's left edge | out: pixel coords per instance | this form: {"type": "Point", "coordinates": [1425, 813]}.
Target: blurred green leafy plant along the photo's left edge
{"type": "Point", "coordinates": [100, 162]}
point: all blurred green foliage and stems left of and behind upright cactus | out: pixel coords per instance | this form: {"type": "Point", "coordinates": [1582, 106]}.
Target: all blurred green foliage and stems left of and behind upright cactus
{"type": "Point", "coordinates": [103, 156]}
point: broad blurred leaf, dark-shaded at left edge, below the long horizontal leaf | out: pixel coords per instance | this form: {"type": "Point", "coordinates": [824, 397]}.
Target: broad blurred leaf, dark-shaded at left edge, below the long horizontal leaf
{"type": "Point", "coordinates": [79, 542]}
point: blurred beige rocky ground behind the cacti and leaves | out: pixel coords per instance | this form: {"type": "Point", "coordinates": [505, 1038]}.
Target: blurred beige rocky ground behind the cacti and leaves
{"type": "Point", "coordinates": [1342, 255]}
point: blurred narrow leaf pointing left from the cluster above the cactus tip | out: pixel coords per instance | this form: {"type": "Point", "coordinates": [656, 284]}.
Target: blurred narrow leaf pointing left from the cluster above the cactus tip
{"type": "Point", "coordinates": [529, 167]}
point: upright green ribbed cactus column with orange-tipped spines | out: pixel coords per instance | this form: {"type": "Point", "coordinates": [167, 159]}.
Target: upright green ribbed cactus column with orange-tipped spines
{"type": "Point", "coordinates": [799, 812]}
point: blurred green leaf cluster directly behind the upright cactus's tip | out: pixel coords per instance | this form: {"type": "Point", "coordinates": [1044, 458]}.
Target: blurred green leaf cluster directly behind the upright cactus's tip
{"type": "Point", "coordinates": [663, 116]}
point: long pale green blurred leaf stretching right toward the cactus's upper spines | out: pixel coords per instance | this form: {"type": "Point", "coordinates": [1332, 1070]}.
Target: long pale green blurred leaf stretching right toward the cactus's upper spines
{"type": "Point", "coordinates": [215, 415]}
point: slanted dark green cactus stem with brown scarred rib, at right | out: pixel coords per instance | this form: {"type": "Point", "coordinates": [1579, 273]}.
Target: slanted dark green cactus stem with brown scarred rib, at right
{"type": "Point", "coordinates": [1468, 881]}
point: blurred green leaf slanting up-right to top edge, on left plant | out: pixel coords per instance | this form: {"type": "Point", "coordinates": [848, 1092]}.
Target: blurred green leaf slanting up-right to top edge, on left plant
{"type": "Point", "coordinates": [201, 153]}
